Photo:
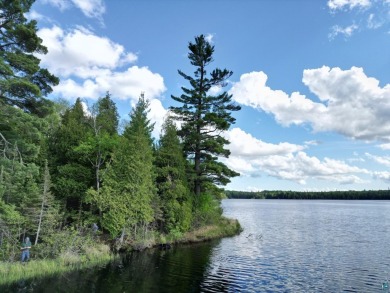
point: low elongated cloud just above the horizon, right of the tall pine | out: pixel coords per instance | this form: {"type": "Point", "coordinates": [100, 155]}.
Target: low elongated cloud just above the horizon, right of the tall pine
{"type": "Point", "coordinates": [253, 157]}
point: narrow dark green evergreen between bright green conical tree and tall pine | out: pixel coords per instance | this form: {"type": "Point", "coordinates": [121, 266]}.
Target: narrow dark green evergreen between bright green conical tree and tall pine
{"type": "Point", "coordinates": [172, 181]}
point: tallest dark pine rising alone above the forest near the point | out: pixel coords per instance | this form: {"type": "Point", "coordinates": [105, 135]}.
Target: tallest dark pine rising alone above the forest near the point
{"type": "Point", "coordinates": [205, 117]}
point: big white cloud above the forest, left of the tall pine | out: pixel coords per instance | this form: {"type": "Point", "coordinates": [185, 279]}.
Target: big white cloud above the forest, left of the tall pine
{"type": "Point", "coordinates": [90, 65]}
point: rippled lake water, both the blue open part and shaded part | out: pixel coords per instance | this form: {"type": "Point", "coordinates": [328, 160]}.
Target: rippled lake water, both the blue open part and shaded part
{"type": "Point", "coordinates": [286, 246]}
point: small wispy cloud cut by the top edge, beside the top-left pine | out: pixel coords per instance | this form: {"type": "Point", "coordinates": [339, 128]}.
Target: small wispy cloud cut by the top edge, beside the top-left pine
{"type": "Point", "coordinates": [90, 8]}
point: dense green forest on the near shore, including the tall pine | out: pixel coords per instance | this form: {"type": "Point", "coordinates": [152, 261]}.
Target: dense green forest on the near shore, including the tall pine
{"type": "Point", "coordinates": [64, 167]}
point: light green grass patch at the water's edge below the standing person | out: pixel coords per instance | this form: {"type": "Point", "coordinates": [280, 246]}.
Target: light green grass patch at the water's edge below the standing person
{"type": "Point", "coordinates": [11, 272]}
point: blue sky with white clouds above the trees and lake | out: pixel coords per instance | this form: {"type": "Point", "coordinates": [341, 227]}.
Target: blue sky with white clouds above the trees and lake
{"type": "Point", "coordinates": [312, 78]}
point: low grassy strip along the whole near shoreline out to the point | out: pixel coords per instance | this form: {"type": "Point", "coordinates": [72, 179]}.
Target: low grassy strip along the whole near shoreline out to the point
{"type": "Point", "coordinates": [101, 254]}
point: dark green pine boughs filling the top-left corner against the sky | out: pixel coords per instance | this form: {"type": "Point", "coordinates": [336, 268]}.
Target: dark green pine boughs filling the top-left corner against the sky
{"type": "Point", "coordinates": [22, 82]}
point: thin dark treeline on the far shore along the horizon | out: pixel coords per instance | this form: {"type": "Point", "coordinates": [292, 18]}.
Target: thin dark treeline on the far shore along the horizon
{"type": "Point", "coordinates": [281, 194]}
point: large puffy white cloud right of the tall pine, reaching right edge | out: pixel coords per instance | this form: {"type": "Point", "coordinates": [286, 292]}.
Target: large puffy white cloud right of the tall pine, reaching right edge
{"type": "Point", "coordinates": [350, 103]}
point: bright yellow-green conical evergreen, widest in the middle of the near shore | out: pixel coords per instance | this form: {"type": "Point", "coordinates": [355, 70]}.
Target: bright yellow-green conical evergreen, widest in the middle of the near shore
{"type": "Point", "coordinates": [128, 191]}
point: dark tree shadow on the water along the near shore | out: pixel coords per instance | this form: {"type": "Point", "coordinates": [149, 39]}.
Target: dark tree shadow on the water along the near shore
{"type": "Point", "coordinates": [179, 269]}
